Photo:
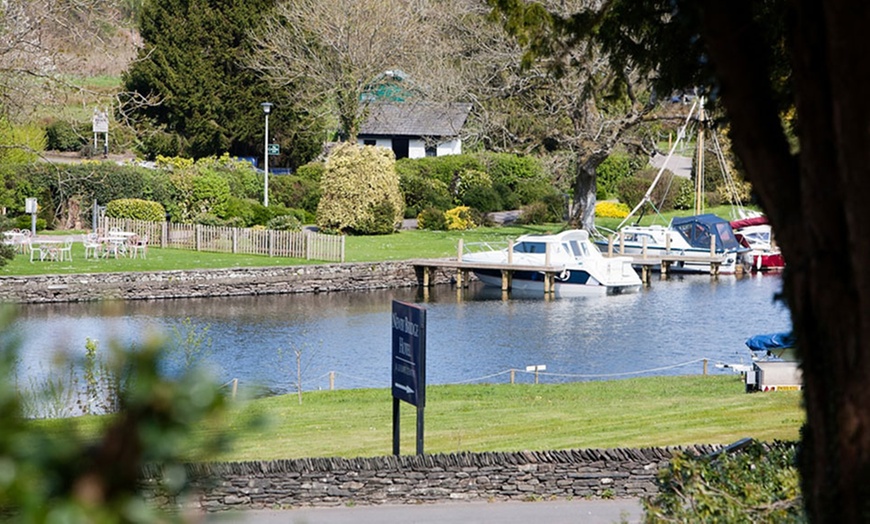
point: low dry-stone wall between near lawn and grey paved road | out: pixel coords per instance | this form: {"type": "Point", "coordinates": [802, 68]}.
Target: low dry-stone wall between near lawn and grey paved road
{"type": "Point", "coordinates": [524, 476]}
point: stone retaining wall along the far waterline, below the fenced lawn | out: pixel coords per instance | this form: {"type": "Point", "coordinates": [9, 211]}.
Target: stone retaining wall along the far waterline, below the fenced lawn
{"type": "Point", "coordinates": [212, 282]}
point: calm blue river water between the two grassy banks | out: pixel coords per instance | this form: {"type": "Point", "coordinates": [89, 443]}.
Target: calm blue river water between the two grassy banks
{"type": "Point", "coordinates": [473, 335]}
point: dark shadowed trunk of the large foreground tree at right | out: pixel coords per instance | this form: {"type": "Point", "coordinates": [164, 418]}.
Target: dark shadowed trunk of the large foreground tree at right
{"type": "Point", "coordinates": [817, 204]}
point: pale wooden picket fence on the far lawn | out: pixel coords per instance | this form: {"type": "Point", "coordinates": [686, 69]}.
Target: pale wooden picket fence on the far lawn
{"type": "Point", "coordinates": [294, 244]}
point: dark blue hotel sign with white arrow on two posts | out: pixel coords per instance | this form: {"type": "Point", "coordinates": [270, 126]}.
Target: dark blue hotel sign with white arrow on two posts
{"type": "Point", "coordinates": [409, 365]}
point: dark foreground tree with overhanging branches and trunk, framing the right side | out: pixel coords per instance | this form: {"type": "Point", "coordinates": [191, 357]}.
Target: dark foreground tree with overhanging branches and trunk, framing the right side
{"type": "Point", "coordinates": [792, 79]}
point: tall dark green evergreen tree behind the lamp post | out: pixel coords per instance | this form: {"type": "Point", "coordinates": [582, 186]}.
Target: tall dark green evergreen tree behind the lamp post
{"type": "Point", "coordinates": [189, 71]}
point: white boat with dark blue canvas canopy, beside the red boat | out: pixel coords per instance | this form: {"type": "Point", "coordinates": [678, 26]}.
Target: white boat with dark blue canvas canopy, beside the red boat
{"type": "Point", "coordinates": [692, 236]}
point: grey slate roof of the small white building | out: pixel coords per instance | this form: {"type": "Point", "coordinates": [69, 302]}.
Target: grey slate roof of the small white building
{"type": "Point", "coordinates": [415, 119]}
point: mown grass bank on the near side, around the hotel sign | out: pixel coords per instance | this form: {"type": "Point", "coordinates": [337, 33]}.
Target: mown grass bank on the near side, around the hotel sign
{"type": "Point", "coordinates": [657, 411]}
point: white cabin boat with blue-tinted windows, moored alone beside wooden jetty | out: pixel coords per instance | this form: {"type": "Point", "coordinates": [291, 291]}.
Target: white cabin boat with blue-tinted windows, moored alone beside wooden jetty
{"type": "Point", "coordinates": [582, 269]}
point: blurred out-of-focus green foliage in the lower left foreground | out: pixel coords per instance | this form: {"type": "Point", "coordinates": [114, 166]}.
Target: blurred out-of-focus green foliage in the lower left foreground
{"type": "Point", "coordinates": [63, 476]}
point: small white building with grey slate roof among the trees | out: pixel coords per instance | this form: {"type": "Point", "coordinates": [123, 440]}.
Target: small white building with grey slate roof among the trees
{"type": "Point", "coordinates": [415, 129]}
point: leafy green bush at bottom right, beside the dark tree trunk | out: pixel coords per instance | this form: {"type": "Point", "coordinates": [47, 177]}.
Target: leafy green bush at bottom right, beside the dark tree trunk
{"type": "Point", "coordinates": [760, 483]}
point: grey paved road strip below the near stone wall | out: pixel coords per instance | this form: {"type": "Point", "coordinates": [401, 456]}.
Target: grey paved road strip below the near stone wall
{"type": "Point", "coordinates": [554, 512]}
